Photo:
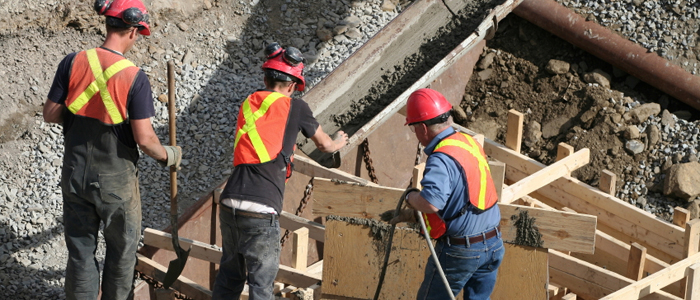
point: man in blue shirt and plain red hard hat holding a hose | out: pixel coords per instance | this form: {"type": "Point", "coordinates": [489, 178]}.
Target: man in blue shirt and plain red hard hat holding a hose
{"type": "Point", "coordinates": [457, 202]}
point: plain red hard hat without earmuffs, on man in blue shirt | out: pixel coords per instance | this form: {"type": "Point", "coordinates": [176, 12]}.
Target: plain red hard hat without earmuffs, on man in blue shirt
{"type": "Point", "coordinates": [425, 104]}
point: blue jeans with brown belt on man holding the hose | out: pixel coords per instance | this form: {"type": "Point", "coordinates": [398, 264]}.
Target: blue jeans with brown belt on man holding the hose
{"type": "Point", "coordinates": [470, 267]}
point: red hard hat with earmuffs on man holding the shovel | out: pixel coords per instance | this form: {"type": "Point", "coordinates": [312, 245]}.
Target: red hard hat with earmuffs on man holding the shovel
{"type": "Point", "coordinates": [131, 12]}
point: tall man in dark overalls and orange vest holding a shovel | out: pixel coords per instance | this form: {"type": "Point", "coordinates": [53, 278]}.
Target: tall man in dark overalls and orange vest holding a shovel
{"type": "Point", "coordinates": [104, 103]}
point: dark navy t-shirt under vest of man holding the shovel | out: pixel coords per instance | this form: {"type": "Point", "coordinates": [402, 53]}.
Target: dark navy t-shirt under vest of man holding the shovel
{"type": "Point", "coordinates": [139, 103]}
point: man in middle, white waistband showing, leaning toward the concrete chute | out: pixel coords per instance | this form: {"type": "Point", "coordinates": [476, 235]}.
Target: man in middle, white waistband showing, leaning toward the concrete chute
{"type": "Point", "coordinates": [266, 131]}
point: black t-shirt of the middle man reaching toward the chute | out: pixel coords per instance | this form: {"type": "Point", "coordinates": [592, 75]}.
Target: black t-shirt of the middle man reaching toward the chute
{"type": "Point", "coordinates": [264, 183]}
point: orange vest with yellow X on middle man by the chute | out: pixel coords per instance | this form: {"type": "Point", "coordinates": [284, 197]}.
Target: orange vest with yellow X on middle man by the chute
{"type": "Point", "coordinates": [260, 129]}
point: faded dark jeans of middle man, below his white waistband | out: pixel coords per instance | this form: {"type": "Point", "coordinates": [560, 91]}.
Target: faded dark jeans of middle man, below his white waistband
{"type": "Point", "coordinates": [251, 249]}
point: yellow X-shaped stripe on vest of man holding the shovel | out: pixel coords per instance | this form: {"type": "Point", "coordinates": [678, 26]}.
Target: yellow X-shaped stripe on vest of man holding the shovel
{"type": "Point", "coordinates": [100, 85]}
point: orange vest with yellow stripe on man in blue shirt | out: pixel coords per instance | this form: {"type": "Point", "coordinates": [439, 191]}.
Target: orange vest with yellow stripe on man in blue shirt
{"type": "Point", "coordinates": [472, 158]}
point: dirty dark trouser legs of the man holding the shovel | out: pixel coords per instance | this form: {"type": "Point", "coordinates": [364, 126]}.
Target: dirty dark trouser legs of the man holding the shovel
{"type": "Point", "coordinates": [117, 203]}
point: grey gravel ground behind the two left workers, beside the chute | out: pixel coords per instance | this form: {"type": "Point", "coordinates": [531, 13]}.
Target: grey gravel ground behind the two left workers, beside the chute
{"type": "Point", "coordinates": [210, 87]}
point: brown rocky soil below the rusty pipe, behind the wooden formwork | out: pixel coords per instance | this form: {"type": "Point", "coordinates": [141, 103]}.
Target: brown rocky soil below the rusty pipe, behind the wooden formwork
{"type": "Point", "coordinates": [568, 109]}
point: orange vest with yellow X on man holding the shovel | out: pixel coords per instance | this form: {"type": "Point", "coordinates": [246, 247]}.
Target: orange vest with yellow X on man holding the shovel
{"type": "Point", "coordinates": [99, 85]}
